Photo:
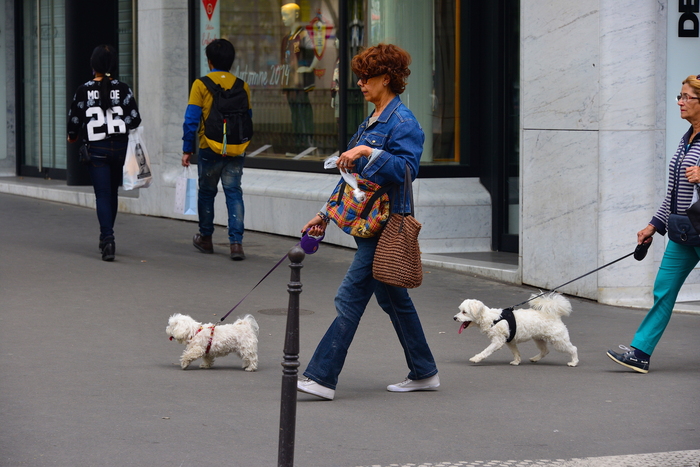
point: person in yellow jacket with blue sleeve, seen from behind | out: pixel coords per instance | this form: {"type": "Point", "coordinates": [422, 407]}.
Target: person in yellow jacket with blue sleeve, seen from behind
{"type": "Point", "coordinates": [212, 165]}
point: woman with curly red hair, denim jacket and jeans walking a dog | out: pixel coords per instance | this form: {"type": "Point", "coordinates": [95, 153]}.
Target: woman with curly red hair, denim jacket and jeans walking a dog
{"type": "Point", "coordinates": [385, 143]}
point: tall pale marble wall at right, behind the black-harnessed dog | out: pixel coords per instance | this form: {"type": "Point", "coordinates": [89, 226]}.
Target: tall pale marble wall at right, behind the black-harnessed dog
{"type": "Point", "coordinates": [593, 80]}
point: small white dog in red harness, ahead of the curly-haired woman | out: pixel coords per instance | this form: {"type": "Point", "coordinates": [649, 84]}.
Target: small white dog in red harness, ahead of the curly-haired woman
{"type": "Point", "coordinates": [209, 341]}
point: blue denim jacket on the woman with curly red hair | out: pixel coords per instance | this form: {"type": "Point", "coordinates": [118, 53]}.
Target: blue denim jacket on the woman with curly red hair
{"type": "Point", "coordinates": [396, 139]}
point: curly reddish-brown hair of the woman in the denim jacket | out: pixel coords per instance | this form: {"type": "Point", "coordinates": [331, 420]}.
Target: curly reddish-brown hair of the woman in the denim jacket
{"type": "Point", "coordinates": [384, 59]}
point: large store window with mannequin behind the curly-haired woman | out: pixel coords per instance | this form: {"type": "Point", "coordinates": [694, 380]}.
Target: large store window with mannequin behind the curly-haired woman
{"type": "Point", "coordinates": [289, 57]}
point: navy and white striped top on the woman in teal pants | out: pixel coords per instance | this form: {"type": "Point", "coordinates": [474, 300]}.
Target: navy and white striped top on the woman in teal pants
{"type": "Point", "coordinates": [687, 155]}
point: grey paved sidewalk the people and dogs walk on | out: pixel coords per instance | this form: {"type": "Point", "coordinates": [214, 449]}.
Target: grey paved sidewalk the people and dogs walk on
{"type": "Point", "coordinates": [89, 377]}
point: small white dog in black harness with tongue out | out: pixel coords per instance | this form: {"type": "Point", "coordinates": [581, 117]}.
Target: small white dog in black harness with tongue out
{"type": "Point", "coordinates": [542, 323]}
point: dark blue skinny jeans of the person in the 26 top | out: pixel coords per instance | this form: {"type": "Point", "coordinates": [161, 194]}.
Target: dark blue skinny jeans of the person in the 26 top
{"type": "Point", "coordinates": [106, 168]}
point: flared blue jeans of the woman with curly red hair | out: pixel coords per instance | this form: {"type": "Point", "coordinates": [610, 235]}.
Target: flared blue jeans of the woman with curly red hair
{"type": "Point", "coordinates": [350, 302]}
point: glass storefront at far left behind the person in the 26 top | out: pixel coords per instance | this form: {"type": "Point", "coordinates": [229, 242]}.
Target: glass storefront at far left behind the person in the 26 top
{"type": "Point", "coordinates": [53, 56]}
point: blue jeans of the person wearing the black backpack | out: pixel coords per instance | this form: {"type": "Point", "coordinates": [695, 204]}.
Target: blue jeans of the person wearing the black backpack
{"type": "Point", "coordinates": [213, 167]}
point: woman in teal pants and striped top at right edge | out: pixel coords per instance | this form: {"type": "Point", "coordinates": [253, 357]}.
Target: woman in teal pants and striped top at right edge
{"type": "Point", "coordinates": [682, 254]}
